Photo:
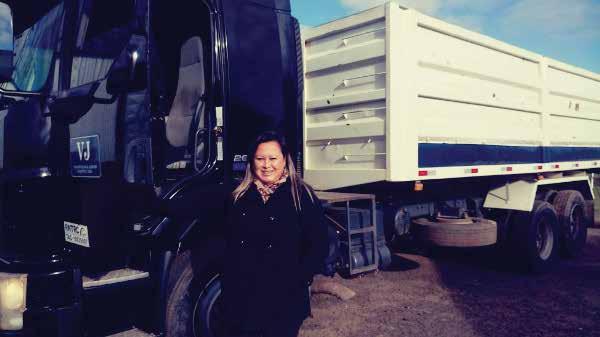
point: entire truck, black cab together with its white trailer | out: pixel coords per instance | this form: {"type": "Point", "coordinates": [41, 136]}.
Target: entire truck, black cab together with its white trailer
{"type": "Point", "coordinates": [124, 122]}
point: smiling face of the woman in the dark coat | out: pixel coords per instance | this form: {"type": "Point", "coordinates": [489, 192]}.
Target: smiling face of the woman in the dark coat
{"type": "Point", "coordinates": [268, 162]}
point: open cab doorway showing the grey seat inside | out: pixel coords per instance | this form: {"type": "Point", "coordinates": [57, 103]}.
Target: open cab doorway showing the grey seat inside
{"type": "Point", "coordinates": [184, 64]}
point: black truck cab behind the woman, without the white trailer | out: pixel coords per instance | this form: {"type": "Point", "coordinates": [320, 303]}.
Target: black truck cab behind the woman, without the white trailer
{"type": "Point", "coordinates": [123, 120]}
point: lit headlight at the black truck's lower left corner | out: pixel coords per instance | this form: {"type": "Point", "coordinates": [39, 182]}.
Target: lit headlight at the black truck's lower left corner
{"type": "Point", "coordinates": [13, 292]}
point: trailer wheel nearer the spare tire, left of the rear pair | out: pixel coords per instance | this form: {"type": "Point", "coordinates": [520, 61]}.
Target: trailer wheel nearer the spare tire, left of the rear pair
{"type": "Point", "coordinates": [534, 236]}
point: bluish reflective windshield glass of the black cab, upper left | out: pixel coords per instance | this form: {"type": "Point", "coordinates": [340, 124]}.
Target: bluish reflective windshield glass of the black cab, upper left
{"type": "Point", "coordinates": [35, 50]}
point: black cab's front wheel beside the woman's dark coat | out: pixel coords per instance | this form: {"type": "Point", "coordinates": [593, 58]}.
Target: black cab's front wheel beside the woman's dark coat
{"type": "Point", "coordinates": [194, 307]}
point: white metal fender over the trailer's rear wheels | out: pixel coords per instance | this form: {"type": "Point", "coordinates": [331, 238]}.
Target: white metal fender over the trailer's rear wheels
{"type": "Point", "coordinates": [520, 195]}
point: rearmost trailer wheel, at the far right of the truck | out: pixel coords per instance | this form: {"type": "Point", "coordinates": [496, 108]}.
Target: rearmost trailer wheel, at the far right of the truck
{"type": "Point", "coordinates": [570, 208]}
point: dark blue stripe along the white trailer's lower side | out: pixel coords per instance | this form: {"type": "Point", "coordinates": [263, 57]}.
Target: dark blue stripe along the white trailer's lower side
{"type": "Point", "coordinates": [446, 155]}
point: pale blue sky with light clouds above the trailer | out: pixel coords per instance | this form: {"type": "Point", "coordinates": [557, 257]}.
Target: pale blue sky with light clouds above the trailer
{"type": "Point", "coordinates": [565, 30]}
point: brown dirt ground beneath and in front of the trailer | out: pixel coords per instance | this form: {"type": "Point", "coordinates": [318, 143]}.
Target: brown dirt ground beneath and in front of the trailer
{"type": "Point", "coordinates": [465, 293]}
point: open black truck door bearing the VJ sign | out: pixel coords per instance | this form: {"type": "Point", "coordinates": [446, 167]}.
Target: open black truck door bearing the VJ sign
{"type": "Point", "coordinates": [109, 142]}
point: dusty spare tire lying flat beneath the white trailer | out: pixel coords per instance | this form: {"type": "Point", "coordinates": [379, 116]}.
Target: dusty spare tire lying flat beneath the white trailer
{"type": "Point", "coordinates": [471, 232]}
